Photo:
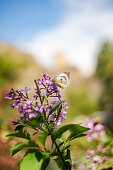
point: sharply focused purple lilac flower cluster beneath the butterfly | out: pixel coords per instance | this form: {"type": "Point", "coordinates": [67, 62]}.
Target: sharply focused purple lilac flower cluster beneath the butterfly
{"type": "Point", "coordinates": [46, 96]}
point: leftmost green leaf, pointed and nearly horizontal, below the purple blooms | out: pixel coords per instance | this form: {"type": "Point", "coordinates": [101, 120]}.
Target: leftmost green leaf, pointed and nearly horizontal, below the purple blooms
{"type": "Point", "coordinates": [20, 134]}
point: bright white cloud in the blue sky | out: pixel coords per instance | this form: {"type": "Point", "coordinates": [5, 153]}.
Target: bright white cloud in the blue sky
{"type": "Point", "coordinates": [77, 36]}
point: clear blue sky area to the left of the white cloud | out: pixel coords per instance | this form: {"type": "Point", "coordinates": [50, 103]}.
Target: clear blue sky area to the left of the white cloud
{"type": "Point", "coordinates": [22, 19]}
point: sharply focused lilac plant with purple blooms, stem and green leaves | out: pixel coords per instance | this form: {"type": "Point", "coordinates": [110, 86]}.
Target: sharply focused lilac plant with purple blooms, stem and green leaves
{"type": "Point", "coordinates": [43, 113]}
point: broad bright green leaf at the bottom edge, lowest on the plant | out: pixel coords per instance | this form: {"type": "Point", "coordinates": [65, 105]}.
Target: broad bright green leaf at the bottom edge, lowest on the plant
{"type": "Point", "coordinates": [34, 160]}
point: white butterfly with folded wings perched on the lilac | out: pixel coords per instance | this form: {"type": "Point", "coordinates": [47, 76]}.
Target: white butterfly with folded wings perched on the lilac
{"type": "Point", "coordinates": [62, 80]}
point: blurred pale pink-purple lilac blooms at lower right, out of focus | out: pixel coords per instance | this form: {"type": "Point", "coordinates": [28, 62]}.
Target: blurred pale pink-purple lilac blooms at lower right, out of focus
{"type": "Point", "coordinates": [94, 159]}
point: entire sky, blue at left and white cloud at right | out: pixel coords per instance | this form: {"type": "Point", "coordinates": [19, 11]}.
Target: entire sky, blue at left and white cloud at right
{"type": "Point", "coordinates": [44, 28]}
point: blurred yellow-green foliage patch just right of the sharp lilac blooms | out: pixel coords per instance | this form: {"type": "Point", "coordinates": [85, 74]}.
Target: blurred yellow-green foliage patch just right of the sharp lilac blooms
{"type": "Point", "coordinates": [80, 103]}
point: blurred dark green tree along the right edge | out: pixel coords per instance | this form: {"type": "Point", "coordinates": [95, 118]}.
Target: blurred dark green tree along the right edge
{"type": "Point", "coordinates": [104, 71]}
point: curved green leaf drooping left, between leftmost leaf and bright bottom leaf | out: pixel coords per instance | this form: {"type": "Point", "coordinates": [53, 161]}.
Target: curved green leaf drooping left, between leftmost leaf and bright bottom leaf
{"type": "Point", "coordinates": [21, 145]}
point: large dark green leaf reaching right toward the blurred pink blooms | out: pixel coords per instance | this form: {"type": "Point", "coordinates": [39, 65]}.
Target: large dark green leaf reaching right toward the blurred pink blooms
{"type": "Point", "coordinates": [76, 128]}
